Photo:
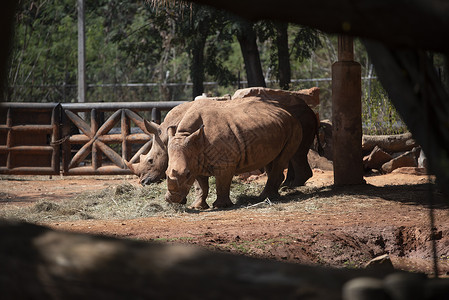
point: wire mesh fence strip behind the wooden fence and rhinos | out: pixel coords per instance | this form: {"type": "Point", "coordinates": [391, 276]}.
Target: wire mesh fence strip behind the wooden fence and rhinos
{"type": "Point", "coordinates": [378, 114]}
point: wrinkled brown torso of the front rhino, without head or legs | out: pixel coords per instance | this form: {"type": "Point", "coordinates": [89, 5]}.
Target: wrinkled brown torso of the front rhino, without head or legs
{"type": "Point", "coordinates": [246, 133]}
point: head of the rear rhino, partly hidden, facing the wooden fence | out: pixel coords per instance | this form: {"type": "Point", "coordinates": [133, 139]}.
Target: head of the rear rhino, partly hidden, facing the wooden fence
{"type": "Point", "coordinates": [152, 166]}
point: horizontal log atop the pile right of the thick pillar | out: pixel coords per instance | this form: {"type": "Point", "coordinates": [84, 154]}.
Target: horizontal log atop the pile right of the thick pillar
{"type": "Point", "coordinates": [389, 143]}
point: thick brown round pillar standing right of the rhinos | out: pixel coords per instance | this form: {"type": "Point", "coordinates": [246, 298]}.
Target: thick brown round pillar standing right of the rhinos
{"type": "Point", "coordinates": [347, 116]}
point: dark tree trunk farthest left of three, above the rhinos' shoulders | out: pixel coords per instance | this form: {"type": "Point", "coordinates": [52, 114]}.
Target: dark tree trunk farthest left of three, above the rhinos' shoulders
{"type": "Point", "coordinates": [197, 67]}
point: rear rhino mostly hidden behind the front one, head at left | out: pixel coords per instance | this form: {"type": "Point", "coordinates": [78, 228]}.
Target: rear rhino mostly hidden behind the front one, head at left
{"type": "Point", "coordinates": [153, 165]}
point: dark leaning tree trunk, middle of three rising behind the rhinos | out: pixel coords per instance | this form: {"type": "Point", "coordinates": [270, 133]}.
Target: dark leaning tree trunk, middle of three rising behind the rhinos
{"type": "Point", "coordinates": [250, 52]}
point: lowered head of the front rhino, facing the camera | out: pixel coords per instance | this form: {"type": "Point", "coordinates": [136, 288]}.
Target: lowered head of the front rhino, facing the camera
{"type": "Point", "coordinates": [183, 152]}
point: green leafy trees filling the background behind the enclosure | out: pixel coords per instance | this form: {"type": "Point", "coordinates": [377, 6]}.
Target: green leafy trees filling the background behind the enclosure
{"type": "Point", "coordinates": [133, 42]}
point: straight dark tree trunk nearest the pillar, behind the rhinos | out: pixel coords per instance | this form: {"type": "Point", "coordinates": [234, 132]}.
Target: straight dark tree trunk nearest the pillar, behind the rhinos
{"type": "Point", "coordinates": [283, 55]}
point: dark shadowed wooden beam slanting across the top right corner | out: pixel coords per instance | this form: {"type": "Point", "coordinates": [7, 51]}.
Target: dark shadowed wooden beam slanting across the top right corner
{"type": "Point", "coordinates": [418, 23]}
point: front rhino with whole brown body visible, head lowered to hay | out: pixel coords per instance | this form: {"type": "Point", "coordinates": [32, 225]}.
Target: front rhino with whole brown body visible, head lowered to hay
{"type": "Point", "coordinates": [222, 139]}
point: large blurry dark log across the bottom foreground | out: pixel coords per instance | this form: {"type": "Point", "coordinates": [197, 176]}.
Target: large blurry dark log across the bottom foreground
{"type": "Point", "coordinates": [41, 263]}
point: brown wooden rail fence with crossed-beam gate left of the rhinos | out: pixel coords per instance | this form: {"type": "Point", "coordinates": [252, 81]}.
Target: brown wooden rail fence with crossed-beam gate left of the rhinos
{"type": "Point", "coordinates": [75, 138]}
